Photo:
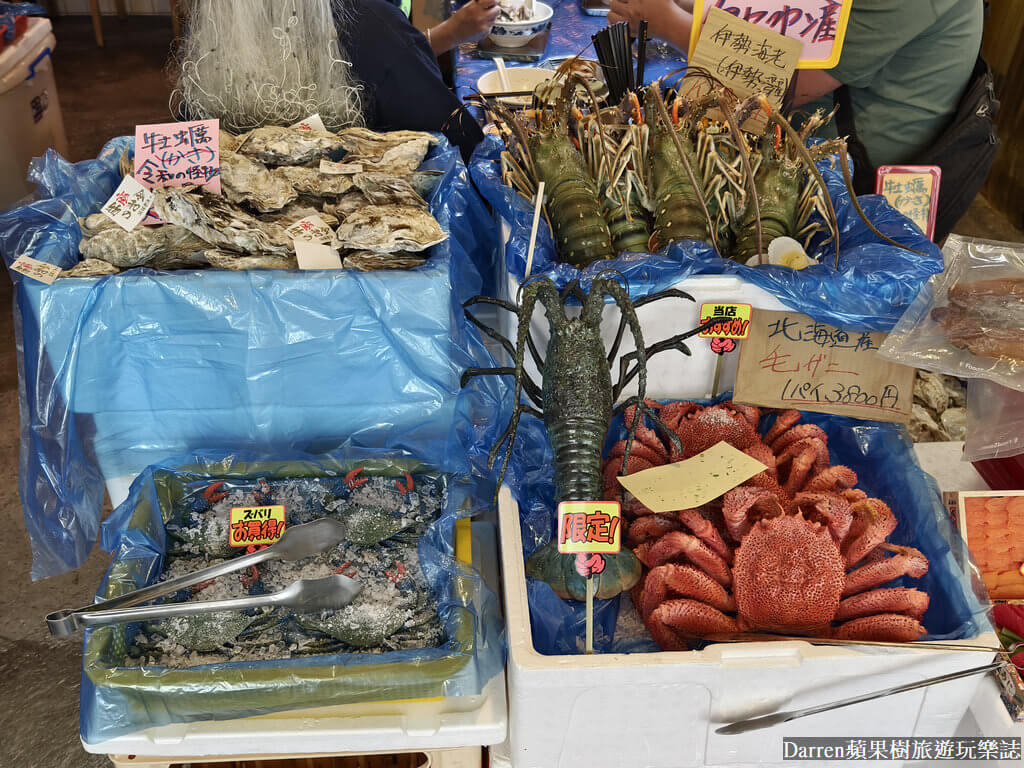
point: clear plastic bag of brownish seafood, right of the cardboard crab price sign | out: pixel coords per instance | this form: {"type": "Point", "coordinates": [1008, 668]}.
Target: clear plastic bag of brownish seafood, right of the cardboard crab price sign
{"type": "Point", "coordinates": [968, 322]}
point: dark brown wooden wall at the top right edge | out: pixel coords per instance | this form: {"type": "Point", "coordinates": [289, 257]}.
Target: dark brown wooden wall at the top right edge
{"type": "Point", "coordinates": [1003, 48]}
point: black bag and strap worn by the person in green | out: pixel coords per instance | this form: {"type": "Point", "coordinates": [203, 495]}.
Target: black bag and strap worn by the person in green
{"type": "Point", "coordinates": [965, 151]}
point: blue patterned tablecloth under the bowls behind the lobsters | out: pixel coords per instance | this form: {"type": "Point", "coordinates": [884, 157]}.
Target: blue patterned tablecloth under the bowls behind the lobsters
{"type": "Point", "coordinates": [571, 33]}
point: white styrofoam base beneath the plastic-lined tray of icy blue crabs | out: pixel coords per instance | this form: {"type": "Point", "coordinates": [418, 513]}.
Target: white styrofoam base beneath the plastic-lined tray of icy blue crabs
{"type": "Point", "coordinates": [451, 733]}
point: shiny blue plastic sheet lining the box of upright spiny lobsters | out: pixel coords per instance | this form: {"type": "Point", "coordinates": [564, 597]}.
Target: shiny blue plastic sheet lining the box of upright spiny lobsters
{"type": "Point", "coordinates": [874, 285]}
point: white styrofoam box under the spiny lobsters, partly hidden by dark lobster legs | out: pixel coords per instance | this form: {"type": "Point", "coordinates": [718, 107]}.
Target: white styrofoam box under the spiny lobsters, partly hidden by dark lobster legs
{"type": "Point", "coordinates": [670, 374]}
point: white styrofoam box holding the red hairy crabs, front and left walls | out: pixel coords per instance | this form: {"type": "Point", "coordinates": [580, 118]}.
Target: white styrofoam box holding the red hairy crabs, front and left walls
{"type": "Point", "coordinates": [661, 710]}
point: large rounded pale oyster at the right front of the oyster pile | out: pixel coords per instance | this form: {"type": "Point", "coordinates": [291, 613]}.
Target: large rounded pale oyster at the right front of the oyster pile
{"type": "Point", "coordinates": [391, 229]}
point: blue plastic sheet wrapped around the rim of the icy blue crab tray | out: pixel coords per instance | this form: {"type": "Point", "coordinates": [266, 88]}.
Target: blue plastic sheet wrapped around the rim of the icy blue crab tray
{"type": "Point", "coordinates": [120, 700]}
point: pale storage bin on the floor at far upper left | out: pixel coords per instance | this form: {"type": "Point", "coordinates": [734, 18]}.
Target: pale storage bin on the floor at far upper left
{"type": "Point", "coordinates": [30, 113]}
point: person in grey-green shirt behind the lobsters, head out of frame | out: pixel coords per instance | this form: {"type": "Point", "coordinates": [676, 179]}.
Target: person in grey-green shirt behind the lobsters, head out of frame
{"type": "Point", "coordinates": [906, 62]}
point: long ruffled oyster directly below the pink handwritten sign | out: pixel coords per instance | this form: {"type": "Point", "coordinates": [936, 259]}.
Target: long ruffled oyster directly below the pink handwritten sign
{"type": "Point", "coordinates": [221, 223]}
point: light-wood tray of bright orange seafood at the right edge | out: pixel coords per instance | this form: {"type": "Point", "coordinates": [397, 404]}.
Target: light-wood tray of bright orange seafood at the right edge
{"type": "Point", "coordinates": [991, 523]}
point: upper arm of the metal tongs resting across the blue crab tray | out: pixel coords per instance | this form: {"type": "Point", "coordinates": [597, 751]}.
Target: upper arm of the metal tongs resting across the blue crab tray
{"type": "Point", "coordinates": [296, 543]}
